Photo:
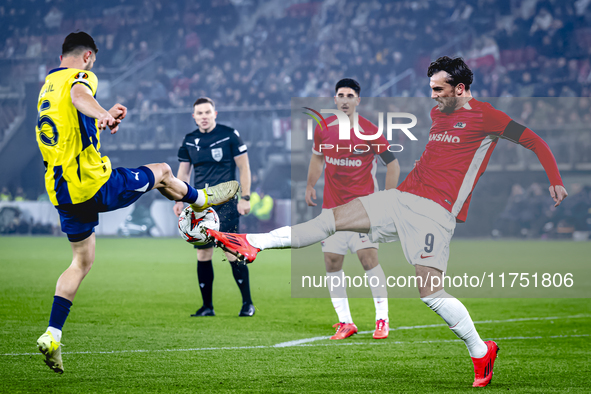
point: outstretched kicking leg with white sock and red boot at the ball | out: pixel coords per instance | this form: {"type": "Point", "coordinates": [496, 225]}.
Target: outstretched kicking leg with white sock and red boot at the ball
{"type": "Point", "coordinates": [349, 217]}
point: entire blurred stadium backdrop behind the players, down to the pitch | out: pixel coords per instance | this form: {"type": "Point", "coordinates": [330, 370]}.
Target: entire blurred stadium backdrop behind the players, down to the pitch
{"type": "Point", "coordinates": [252, 57]}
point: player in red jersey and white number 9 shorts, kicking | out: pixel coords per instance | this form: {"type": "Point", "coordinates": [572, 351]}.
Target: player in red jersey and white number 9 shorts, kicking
{"type": "Point", "coordinates": [436, 194]}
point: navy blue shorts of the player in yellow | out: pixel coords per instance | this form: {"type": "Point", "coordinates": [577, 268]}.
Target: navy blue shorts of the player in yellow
{"type": "Point", "coordinates": [122, 189]}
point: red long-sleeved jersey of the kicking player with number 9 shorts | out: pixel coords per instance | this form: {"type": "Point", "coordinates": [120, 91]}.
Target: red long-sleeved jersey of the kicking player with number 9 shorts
{"type": "Point", "coordinates": [458, 151]}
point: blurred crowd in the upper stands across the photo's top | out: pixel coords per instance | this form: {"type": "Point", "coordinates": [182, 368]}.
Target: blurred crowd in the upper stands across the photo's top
{"type": "Point", "coordinates": [260, 53]}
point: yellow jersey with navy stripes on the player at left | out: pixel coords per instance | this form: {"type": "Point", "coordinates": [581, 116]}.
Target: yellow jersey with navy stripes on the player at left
{"type": "Point", "coordinates": [69, 140]}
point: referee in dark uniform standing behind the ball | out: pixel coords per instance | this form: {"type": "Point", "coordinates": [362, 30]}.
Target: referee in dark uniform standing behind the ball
{"type": "Point", "coordinates": [214, 151]}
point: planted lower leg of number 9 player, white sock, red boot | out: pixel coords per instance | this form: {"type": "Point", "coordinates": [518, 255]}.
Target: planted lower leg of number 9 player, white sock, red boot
{"type": "Point", "coordinates": [455, 314]}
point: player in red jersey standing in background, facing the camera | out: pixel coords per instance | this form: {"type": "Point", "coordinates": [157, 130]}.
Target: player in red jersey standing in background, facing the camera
{"type": "Point", "coordinates": [350, 173]}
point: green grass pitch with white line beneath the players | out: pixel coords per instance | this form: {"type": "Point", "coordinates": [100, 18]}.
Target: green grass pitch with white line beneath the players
{"type": "Point", "coordinates": [130, 331]}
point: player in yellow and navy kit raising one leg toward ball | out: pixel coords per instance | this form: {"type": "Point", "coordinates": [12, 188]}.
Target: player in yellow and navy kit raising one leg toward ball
{"type": "Point", "coordinates": [81, 183]}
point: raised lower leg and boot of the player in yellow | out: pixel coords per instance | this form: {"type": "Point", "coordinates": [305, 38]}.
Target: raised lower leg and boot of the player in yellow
{"type": "Point", "coordinates": [175, 189]}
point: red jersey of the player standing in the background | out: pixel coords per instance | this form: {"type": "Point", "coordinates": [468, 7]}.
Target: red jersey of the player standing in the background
{"type": "Point", "coordinates": [351, 165]}
